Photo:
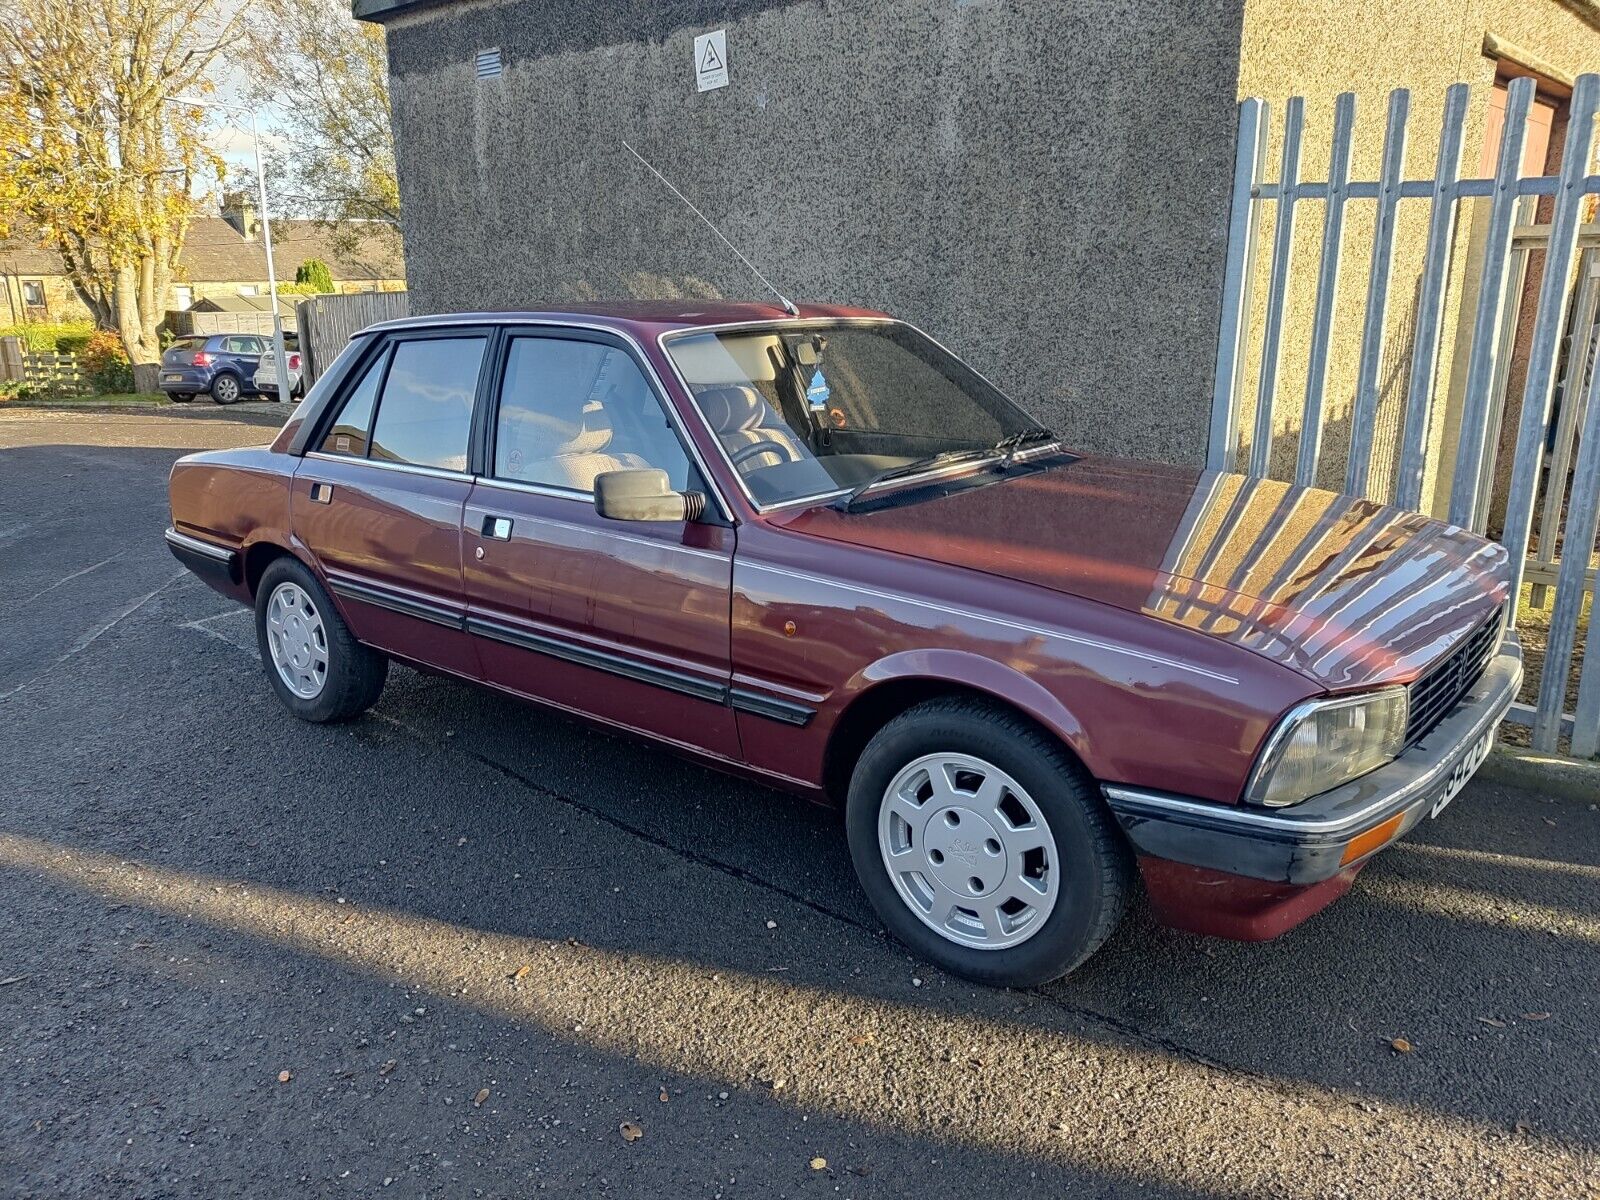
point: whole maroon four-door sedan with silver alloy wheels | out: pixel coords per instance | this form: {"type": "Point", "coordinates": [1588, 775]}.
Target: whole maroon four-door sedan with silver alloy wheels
{"type": "Point", "coordinates": [825, 553]}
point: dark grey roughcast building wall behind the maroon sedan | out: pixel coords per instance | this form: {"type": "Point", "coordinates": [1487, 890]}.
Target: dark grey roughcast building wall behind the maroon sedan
{"type": "Point", "coordinates": [1041, 185]}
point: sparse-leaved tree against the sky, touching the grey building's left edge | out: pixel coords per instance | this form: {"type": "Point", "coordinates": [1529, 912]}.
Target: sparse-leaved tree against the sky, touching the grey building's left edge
{"type": "Point", "coordinates": [327, 78]}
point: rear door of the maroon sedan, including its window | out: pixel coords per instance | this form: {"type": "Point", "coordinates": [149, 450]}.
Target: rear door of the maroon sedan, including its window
{"type": "Point", "coordinates": [378, 503]}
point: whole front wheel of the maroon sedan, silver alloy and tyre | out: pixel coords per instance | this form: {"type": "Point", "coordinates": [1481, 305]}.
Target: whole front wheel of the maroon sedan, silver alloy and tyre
{"type": "Point", "coordinates": [985, 846]}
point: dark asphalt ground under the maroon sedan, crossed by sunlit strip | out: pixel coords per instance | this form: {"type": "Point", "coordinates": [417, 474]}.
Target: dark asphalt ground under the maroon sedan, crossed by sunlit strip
{"type": "Point", "coordinates": [481, 938]}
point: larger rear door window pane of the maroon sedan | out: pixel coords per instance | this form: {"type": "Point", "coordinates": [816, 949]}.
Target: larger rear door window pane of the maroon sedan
{"type": "Point", "coordinates": [426, 409]}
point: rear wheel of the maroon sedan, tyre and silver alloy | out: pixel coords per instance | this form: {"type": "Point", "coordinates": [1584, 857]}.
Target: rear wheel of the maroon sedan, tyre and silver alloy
{"type": "Point", "coordinates": [313, 662]}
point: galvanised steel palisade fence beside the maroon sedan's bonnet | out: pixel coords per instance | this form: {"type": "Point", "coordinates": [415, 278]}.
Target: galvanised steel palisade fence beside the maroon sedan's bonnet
{"type": "Point", "coordinates": [1553, 497]}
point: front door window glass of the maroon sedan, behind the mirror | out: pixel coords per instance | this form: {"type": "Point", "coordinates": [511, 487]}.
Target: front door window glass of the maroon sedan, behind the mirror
{"type": "Point", "coordinates": [572, 410]}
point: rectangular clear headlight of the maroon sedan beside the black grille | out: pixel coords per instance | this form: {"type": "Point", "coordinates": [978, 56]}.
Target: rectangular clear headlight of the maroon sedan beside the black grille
{"type": "Point", "coordinates": [1322, 745]}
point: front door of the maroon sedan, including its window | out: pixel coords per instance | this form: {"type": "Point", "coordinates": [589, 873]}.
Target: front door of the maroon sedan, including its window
{"type": "Point", "coordinates": [623, 622]}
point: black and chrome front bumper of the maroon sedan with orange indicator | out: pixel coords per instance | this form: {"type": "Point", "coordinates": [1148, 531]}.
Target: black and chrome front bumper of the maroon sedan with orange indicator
{"type": "Point", "coordinates": [1335, 833]}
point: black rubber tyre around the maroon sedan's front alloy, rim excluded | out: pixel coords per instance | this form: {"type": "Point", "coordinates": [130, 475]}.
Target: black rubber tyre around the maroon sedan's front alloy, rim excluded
{"type": "Point", "coordinates": [1097, 866]}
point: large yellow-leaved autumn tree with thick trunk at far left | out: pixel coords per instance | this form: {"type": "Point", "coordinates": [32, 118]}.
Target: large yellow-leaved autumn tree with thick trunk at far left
{"type": "Point", "coordinates": [94, 154]}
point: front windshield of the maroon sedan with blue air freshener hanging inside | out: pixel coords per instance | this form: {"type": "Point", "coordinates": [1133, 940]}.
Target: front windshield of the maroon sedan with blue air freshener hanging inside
{"type": "Point", "coordinates": [810, 410]}
